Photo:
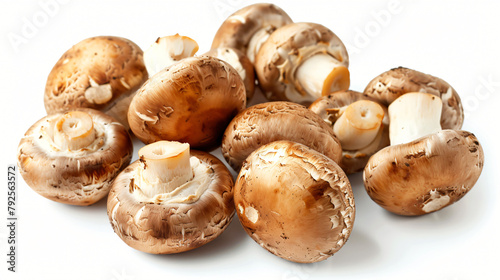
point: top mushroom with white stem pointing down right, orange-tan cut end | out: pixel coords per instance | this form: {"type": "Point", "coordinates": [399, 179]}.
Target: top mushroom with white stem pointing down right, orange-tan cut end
{"type": "Point", "coordinates": [301, 62]}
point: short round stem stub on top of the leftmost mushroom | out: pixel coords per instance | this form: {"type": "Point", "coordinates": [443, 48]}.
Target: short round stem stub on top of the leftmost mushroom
{"type": "Point", "coordinates": [74, 131]}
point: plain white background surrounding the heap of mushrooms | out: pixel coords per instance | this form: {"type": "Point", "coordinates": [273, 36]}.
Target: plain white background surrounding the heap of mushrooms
{"type": "Point", "coordinates": [455, 40]}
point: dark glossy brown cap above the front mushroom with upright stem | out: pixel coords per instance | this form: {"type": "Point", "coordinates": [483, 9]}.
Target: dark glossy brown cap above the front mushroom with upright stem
{"type": "Point", "coordinates": [191, 101]}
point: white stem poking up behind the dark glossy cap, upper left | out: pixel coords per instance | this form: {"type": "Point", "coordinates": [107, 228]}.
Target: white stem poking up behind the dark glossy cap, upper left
{"type": "Point", "coordinates": [168, 50]}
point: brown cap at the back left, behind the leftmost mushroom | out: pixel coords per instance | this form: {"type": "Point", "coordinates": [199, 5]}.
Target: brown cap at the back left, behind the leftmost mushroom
{"type": "Point", "coordinates": [99, 73]}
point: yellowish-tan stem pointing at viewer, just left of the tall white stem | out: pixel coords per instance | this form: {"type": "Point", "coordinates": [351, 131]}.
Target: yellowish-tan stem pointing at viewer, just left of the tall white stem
{"type": "Point", "coordinates": [359, 125]}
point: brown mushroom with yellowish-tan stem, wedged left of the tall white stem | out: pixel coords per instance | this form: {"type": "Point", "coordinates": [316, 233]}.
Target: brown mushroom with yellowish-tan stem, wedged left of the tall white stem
{"type": "Point", "coordinates": [360, 124]}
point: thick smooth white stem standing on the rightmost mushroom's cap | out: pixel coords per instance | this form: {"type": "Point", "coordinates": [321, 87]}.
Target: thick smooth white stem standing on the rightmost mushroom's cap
{"type": "Point", "coordinates": [414, 115]}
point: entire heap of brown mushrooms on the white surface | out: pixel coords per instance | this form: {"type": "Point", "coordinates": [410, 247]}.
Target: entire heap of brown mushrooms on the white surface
{"type": "Point", "coordinates": [292, 194]}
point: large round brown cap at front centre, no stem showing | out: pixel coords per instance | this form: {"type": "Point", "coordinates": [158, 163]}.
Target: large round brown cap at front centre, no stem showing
{"type": "Point", "coordinates": [295, 202]}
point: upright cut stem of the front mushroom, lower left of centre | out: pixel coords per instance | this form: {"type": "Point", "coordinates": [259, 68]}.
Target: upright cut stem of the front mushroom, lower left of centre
{"type": "Point", "coordinates": [165, 167]}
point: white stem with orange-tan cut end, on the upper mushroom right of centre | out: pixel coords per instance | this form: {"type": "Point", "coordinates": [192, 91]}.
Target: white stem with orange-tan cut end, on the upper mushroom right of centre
{"type": "Point", "coordinates": [322, 74]}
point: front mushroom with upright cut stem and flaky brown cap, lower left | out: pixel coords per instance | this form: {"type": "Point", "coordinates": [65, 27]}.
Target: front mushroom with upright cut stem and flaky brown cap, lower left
{"type": "Point", "coordinates": [171, 200]}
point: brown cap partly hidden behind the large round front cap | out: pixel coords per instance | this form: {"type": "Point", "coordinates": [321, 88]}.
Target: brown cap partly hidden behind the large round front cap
{"type": "Point", "coordinates": [272, 121]}
